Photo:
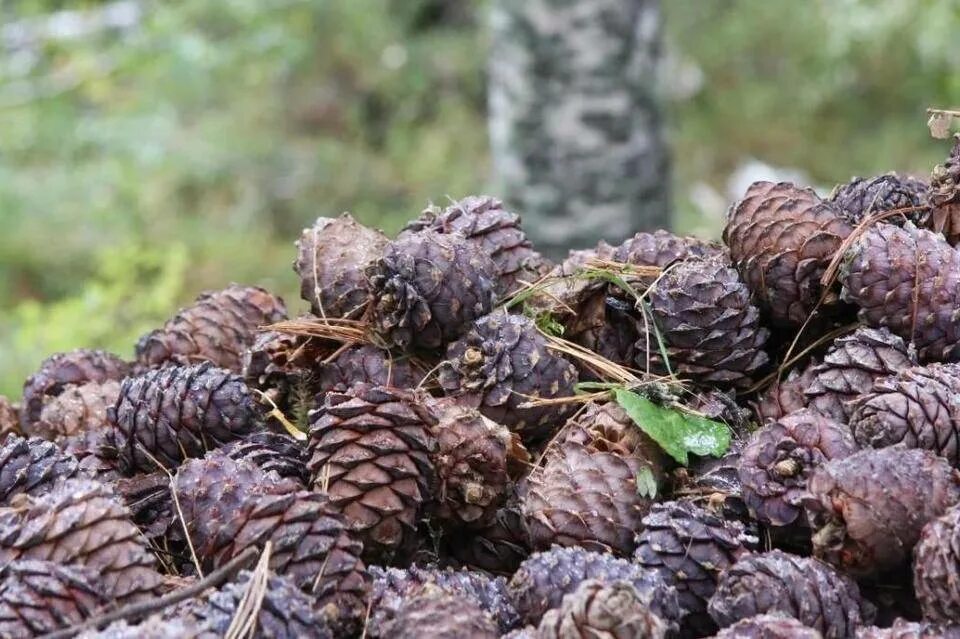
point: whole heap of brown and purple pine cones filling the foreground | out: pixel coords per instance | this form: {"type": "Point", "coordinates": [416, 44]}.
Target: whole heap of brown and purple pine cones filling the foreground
{"type": "Point", "coordinates": [435, 451]}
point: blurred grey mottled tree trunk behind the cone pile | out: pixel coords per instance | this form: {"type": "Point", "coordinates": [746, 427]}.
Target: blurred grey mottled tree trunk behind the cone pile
{"type": "Point", "coordinates": [575, 125]}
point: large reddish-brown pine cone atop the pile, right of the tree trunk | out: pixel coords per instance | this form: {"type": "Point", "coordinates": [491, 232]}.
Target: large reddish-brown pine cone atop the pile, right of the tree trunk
{"type": "Point", "coordinates": [781, 239]}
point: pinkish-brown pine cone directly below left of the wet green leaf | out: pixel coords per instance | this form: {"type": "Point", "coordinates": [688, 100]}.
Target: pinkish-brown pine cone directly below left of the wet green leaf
{"type": "Point", "coordinates": [584, 497]}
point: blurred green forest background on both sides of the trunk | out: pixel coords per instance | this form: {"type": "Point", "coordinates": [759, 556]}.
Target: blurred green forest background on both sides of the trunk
{"type": "Point", "coordinates": [150, 150]}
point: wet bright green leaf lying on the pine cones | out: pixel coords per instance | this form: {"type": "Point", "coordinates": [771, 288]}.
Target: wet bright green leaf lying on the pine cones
{"type": "Point", "coordinates": [677, 433]}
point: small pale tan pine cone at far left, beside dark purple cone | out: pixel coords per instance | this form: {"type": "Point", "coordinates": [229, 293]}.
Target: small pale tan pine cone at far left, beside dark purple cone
{"type": "Point", "coordinates": [76, 409]}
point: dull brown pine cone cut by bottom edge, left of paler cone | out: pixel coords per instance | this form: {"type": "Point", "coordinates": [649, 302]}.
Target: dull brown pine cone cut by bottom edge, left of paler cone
{"type": "Point", "coordinates": [435, 614]}
